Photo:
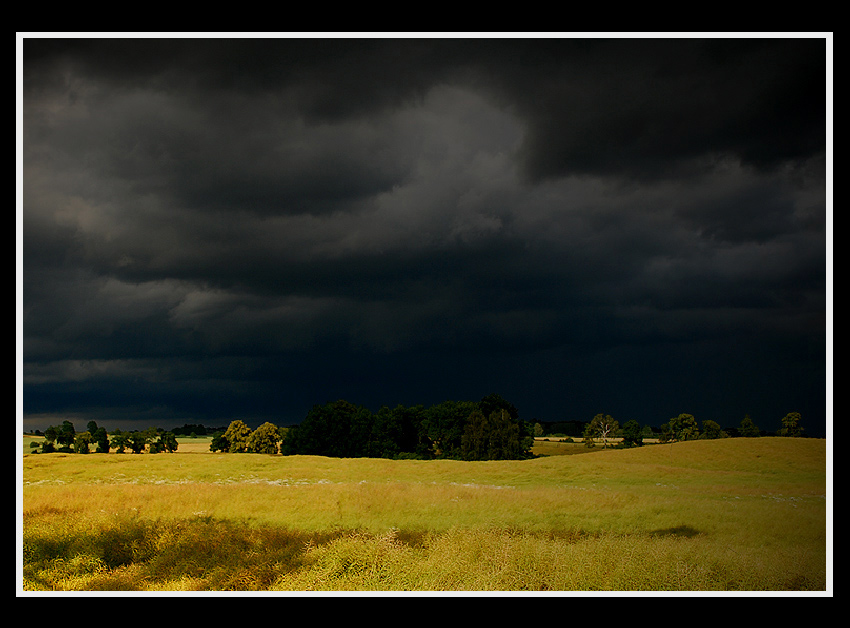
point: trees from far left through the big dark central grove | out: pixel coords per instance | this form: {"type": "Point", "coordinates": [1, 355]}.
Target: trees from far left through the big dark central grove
{"type": "Point", "coordinates": [488, 429]}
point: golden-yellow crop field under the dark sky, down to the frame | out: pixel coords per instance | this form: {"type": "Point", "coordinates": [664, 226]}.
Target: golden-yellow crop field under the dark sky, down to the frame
{"type": "Point", "coordinates": [708, 515]}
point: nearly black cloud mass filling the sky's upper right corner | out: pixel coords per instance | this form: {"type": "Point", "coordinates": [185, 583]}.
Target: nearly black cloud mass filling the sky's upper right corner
{"type": "Point", "coordinates": [648, 108]}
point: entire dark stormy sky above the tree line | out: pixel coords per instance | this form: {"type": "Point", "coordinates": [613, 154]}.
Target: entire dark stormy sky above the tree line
{"type": "Point", "coordinates": [224, 228]}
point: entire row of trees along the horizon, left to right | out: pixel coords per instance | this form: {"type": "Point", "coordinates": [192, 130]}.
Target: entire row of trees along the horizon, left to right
{"type": "Point", "coordinates": [488, 429]}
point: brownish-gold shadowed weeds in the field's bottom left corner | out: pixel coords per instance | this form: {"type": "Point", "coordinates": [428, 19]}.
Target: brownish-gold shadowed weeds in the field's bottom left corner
{"type": "Point", "coordinates": [129, 554]}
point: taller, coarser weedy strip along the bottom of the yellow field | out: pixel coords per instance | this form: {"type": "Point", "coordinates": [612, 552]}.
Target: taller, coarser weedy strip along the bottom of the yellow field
{"type": "Point", "coordinates": [200, 555]}
